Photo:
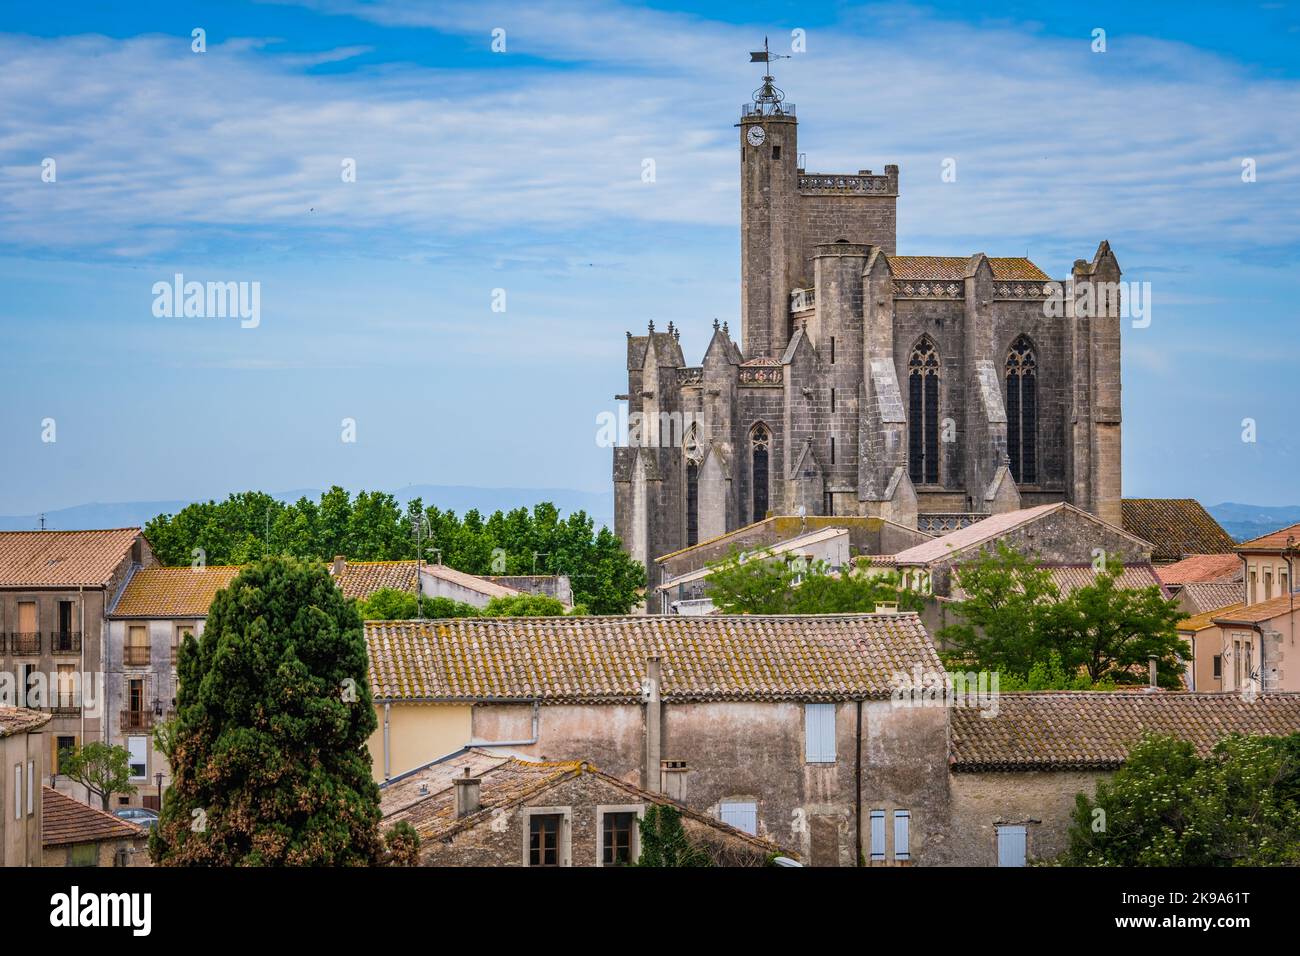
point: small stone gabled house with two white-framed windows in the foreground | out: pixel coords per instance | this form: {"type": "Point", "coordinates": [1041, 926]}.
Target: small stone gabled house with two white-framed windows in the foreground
{"type": "Point", "coordinates": [482, 808]}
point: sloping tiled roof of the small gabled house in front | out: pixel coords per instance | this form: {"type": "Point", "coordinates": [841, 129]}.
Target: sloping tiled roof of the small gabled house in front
{"type": "Point", "coordinates": [509, 781]}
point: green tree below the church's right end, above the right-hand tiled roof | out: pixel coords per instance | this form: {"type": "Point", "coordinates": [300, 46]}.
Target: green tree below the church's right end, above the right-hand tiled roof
{"type": "Point", "coordinates": [1013, 618]}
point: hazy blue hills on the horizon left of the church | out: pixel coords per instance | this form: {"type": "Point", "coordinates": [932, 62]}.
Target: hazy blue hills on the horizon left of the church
{"type": "Point", "coordinates": [458, 499]}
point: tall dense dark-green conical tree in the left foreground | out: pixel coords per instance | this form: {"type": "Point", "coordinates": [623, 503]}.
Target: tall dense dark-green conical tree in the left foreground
{"type": "Point", "coordinates": [270, 754]}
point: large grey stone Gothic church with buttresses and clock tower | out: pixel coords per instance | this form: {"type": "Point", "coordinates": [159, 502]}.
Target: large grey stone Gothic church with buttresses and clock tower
{"type": "Point", "coordinates": [868, 383]}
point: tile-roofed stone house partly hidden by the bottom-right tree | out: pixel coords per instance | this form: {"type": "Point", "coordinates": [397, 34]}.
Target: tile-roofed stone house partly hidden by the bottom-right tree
{"type": "Point", "coordinates": [1015, 777]}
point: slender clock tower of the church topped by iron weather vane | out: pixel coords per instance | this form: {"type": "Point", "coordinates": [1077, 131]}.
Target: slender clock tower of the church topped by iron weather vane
{"type": "Point", "coordinates": [769, 218]}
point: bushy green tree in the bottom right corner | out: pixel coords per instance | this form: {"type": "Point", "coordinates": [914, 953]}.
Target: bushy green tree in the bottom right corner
{"type": "Point", "coordinates": [1169, 807]}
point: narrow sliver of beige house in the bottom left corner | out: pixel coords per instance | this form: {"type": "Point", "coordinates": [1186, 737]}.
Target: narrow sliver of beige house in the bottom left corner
{"type": "Point", "coordinates": [24, 759]}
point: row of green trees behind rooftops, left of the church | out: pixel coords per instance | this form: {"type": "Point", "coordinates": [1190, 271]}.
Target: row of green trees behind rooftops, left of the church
{"type": "Point", "coordinates": [372, 526]}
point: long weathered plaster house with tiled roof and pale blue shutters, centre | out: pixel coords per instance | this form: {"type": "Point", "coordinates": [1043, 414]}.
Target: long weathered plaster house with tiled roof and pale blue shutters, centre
{"type": "Point", "coordinates": [786, 725]}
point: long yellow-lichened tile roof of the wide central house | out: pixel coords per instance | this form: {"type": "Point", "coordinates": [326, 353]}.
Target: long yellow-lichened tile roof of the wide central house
{"type": "Point", "coordinates": [604, 660]}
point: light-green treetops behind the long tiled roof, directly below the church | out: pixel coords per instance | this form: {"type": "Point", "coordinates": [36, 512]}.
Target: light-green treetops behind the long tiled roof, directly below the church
{"type": "Point", "coordinates": [773, 585]}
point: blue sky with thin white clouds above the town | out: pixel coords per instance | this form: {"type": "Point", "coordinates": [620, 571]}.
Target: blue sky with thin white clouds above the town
{"type": "Point", "coordinates": [522, 171]}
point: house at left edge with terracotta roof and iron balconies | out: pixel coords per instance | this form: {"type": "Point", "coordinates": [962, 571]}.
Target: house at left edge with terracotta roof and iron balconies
{"type": "Point", "coordinates": [57, 589]}
